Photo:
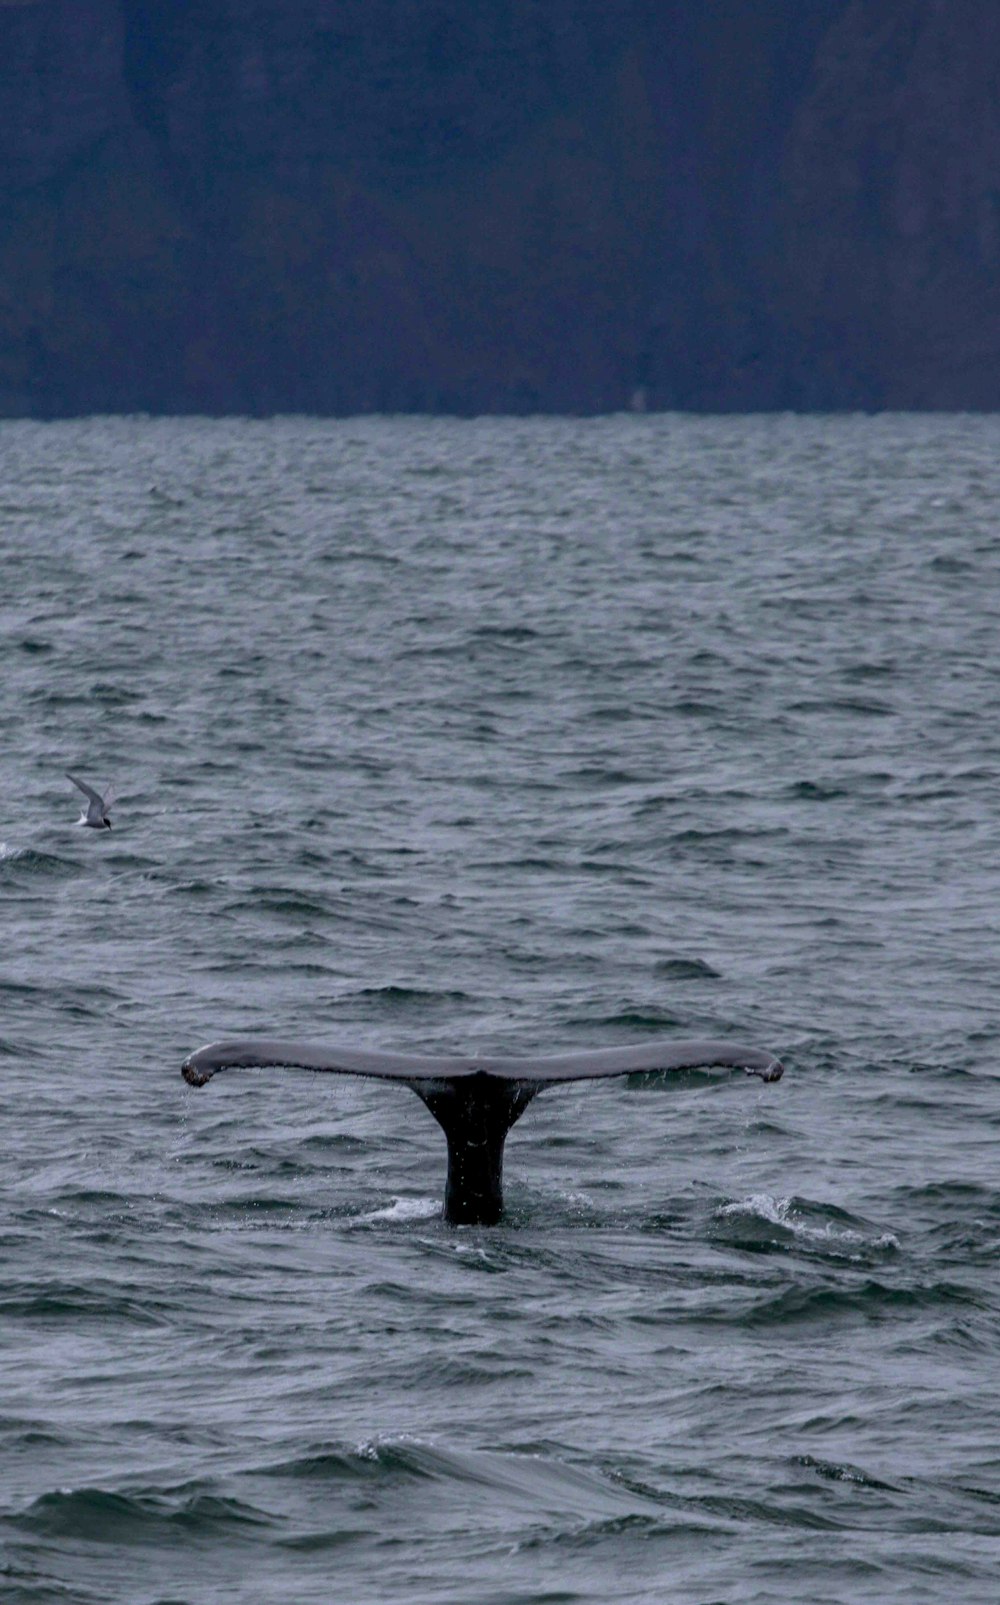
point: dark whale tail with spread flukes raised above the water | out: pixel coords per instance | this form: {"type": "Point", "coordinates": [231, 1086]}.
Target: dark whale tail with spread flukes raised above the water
{"type": "Point", "coordinates": [478, 1100]}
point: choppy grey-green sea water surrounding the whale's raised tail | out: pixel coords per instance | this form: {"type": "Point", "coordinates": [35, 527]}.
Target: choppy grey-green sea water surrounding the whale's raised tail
{"type": "Point", "coordinates": [502, 736]}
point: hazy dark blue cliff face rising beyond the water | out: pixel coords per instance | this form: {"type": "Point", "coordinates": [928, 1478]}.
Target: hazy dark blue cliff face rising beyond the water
{"type": "Point", "coordinates": [348, 206]}
